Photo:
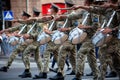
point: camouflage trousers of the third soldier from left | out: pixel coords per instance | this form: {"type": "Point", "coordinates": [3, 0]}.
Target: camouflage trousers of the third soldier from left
{"type": "Point", "coordinates": [51, 48]}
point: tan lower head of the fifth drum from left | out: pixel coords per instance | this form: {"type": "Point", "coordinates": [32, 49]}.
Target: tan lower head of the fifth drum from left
{"type": "Point", "coordinates": [77, 40]}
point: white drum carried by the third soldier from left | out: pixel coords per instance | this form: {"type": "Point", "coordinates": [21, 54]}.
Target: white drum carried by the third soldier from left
{"type": "Point", "coordinates": [43, 38]}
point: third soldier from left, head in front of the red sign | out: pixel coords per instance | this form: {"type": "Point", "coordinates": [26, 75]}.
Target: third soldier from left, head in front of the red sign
{"type": "Point", "coordinates": [51, 47]}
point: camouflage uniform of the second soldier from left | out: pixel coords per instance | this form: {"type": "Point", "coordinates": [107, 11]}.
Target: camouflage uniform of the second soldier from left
{"type": "Point", "coordinates": [34, 46]}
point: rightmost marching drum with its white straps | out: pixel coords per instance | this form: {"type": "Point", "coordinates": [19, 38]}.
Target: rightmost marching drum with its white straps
{"type": "Point", "coordinates": [99, 38]}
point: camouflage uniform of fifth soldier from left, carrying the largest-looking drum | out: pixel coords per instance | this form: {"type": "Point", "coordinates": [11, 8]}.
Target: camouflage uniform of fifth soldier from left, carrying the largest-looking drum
{"type": "Point", "coordinates": [86, 49]}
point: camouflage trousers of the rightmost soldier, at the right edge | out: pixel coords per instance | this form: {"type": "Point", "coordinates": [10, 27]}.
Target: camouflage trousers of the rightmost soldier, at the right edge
{"type": "Point", "coordinates": [109, 53]}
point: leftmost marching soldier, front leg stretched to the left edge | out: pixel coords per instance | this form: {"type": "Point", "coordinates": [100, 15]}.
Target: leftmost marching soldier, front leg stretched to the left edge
{"type": "Point", "coordinates": [20, 48]}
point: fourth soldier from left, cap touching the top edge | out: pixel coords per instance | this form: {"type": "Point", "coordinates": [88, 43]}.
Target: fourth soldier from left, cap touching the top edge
{"type": "Point", "coordinates": [66, 48]}
